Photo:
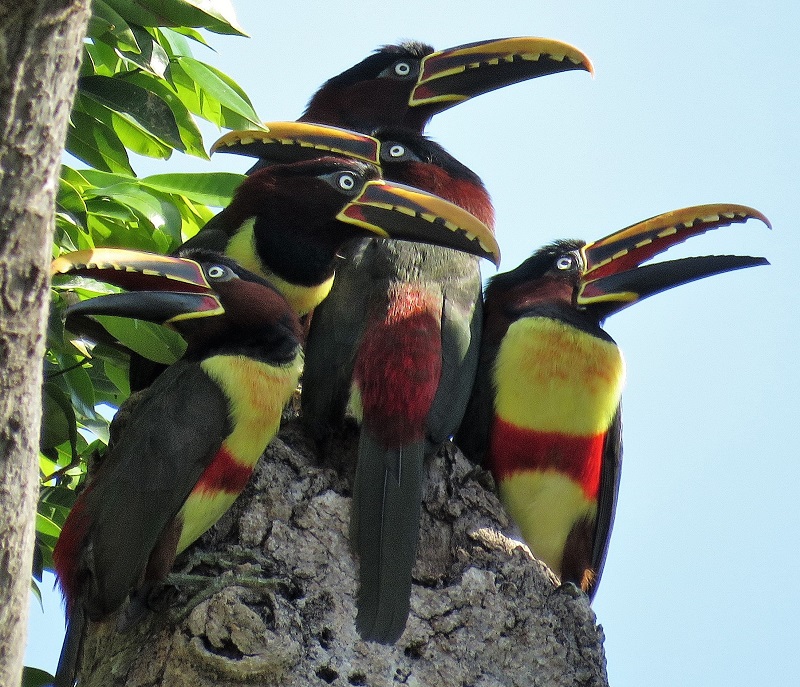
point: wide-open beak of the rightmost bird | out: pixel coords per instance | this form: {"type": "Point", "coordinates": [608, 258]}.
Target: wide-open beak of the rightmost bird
{"type": "Point", "coordinates": [613, 277]}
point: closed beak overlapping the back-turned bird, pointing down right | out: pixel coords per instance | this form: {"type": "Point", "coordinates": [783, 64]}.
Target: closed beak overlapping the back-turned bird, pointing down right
{"type": "Point", "coordinates": [397, 211]}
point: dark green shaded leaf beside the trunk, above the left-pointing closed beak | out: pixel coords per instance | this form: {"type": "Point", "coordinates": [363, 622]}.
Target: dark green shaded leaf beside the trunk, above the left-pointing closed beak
{"type": "Point", "coordinates": [147, 108]}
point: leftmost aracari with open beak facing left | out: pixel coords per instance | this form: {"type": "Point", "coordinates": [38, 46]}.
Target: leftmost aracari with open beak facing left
{"type": "Point", "coordinates": [188, 443]}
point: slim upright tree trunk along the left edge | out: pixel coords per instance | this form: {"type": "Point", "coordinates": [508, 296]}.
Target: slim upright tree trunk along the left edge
{"type": "Point", "coordinates": [40, 49]}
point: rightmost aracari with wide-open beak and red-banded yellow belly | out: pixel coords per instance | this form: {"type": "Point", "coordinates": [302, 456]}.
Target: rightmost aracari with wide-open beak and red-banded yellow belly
{"type": "Point", "coordinates": [545, 411]}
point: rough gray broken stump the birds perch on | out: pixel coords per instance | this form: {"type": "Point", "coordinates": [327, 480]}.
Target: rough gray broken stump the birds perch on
{"type": "Point", "coordinates": [276, 601]}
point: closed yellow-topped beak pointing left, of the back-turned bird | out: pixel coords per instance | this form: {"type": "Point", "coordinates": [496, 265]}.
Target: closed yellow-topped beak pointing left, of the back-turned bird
{"type": "Point", "coordinates": [284, 142]}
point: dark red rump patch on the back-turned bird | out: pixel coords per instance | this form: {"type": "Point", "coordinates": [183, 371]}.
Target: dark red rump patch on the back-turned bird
{"type": "Point", "coordinates": [399, 364]}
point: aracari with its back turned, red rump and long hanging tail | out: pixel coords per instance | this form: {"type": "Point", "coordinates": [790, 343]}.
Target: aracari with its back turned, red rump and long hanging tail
{"type": "Point", "coordinates": [400, 344]}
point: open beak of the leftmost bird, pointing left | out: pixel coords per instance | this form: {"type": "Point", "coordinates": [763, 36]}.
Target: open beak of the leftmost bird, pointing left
{"type": "Point", "coordinates": [160, 289]}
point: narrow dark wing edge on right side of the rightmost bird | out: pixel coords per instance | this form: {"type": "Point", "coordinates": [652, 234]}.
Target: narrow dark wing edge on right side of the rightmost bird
{"type": "Point", "coordinates": [607, 497]}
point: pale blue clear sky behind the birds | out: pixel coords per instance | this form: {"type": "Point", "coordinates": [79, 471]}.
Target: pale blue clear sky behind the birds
{"type": "Point", "coordinates": [693, 102]}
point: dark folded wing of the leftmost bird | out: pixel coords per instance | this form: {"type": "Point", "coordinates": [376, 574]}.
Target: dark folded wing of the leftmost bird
{"type": "Point", "coordinates": [171, 434]}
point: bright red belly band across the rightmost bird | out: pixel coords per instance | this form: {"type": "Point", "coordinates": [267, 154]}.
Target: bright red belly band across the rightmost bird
{"type": "Point", "coordinates": [514, 449]}
